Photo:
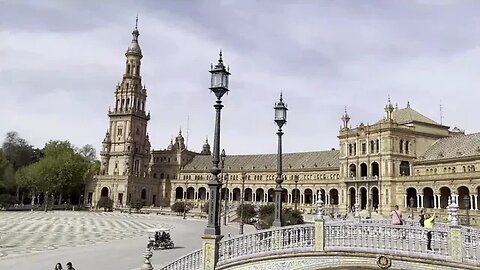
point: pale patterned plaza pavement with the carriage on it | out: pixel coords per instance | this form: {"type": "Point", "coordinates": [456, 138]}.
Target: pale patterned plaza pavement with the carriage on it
{"type": "Point", "coordinates": [93, 240]}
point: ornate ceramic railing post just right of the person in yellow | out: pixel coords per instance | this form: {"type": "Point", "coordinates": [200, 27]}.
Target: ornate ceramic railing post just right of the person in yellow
{"type": "Point", "coordinates": [456, 247]}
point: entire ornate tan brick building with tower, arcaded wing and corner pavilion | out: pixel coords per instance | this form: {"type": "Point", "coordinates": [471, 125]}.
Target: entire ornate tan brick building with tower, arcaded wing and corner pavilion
{"type": "Point", "coordinates": [404, 159]}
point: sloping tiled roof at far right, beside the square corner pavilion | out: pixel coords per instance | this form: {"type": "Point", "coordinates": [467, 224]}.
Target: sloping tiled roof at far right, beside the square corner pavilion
{"type": "Point", "coordinates": [453, 147]}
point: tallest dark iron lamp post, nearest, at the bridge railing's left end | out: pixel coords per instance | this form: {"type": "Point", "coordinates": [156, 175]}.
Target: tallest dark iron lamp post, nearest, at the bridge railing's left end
{"type": "Point", "coordinates": [219, 86]}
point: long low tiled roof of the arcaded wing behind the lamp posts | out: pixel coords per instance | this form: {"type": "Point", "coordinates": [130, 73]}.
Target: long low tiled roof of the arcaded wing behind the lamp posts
{"type": "Point", "coordinates": [312, 160]}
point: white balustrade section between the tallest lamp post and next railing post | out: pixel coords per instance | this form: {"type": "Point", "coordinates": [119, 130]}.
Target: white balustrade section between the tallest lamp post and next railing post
{"type": "Point", "coordinates": [273, 241]}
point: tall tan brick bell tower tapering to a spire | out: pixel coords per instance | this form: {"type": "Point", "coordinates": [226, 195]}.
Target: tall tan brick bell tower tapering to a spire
{"type": "Point", "coordinates": [126, 147]}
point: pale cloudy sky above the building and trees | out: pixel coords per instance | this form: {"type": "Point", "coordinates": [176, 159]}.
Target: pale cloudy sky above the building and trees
{"type": "Point", "coordinates": [61, 60]}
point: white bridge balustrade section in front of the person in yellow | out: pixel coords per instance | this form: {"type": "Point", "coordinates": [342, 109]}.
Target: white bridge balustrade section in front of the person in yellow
{"type": "Point", "coordinates": [388, 239]}
